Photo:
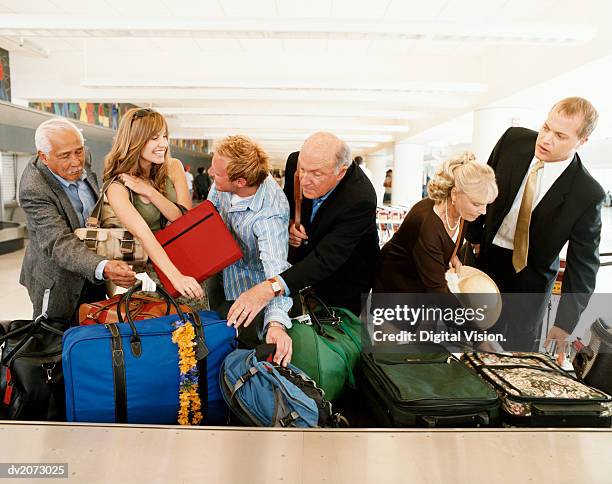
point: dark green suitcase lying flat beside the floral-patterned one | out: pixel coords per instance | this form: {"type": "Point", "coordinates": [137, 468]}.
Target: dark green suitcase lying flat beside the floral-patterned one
{"type": "Point", "coordinates": [425, 390]}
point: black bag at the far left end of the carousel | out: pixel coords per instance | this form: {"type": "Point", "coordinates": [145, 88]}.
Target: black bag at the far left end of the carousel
{"type": "Point", "coordinates": [31, 379]}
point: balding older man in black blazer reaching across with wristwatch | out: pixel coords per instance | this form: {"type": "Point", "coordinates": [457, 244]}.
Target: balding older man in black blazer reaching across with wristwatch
{"type": "Point", "coordinates": [335, 248]}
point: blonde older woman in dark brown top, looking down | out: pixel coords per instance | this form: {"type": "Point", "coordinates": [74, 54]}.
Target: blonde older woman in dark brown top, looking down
{"type": "Point", "coordinates": [418, 256]}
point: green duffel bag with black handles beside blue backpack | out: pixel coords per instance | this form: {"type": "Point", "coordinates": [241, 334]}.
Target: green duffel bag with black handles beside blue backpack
{"type": "Point", "coordinates": [326, 345]}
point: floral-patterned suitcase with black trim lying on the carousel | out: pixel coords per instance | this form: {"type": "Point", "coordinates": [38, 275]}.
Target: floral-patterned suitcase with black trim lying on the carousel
{"type": "Point", "coordinates": [535, 392]}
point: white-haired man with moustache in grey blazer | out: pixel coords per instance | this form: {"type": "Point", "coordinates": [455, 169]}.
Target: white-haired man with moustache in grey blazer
{"type": "Point", "coordinates": [57, 196]}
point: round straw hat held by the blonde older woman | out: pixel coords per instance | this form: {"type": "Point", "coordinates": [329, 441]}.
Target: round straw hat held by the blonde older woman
{"type": "Point", "coordinates": [475, 289]}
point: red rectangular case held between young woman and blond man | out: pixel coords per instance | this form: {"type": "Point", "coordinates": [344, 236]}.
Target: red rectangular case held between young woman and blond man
{"type": "Point", "coordinates": [198, 244]}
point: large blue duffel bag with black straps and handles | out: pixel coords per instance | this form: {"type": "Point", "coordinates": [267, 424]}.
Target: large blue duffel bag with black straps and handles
{"type": "Point", "coordinates": [129, 372]}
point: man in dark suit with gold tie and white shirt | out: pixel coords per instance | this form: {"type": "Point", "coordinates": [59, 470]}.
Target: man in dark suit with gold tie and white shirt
{"type": "Point", "coordinates": [546, 199]}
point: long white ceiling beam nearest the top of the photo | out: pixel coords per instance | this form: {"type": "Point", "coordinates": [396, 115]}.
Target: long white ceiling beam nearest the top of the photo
{"type": "Point", "coordinates": [76, 26]}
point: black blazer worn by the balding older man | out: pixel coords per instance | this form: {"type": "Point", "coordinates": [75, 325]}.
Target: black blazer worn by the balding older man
{"type": "Point", "coordinates": [340, 257]}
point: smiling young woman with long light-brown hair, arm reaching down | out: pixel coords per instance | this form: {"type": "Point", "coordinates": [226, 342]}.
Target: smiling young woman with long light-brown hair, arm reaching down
{"type": "Point", "coordinates": [140, 161]}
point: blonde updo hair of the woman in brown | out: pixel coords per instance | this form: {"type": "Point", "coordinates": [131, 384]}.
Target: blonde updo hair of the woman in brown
{"type": "Point", "coordinates": [467, 175]}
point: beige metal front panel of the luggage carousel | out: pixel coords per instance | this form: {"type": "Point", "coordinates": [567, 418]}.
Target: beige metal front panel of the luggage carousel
{"type": "Point", "coordinates": [129, 453]}
